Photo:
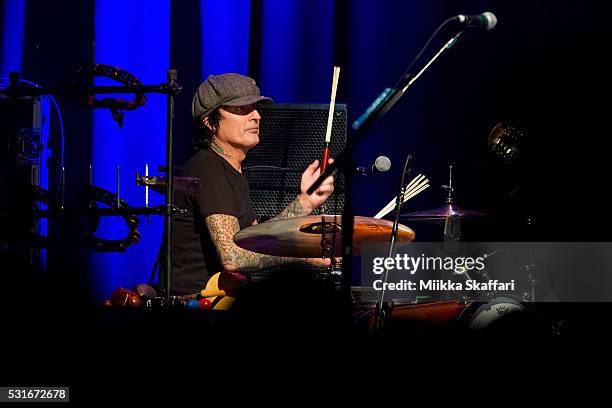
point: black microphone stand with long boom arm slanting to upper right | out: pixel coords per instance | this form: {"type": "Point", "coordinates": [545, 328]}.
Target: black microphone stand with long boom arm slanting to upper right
{"type": "Point", "coordinates": [381, 105]}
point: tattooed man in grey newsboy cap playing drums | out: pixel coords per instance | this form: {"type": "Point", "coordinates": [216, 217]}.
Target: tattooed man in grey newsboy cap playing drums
{"type": "Point", "coordinates": [224, 109]}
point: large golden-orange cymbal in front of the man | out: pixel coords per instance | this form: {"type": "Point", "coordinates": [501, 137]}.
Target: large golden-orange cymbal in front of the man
{"type": "Point", "coordinates": [300, 237]}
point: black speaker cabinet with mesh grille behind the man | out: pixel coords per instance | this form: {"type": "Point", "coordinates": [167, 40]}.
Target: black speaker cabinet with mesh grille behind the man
{"type": "Point", "coordinates": [291, 137]}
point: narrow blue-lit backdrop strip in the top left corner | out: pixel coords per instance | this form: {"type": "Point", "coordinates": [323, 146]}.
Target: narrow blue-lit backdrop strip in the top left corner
{"type": "Point", "coordinates": [13, 35]}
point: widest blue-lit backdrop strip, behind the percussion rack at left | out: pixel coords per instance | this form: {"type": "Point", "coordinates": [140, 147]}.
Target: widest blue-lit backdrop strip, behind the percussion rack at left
{"type": "Point", "coordinates": [134, 36]}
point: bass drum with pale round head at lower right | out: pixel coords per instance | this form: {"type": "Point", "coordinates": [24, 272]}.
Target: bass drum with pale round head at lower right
{"type": "Point", "coordinates": [505, 314]}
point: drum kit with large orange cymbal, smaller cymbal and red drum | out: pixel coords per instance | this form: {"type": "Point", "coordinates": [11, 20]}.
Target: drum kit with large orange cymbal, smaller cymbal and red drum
{"type": "Point", "coordinates": [320, 236]}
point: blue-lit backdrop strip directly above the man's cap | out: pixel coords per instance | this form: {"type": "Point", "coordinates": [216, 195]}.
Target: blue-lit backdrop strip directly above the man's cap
{"type": "Point", "coordinates": [225, 36]}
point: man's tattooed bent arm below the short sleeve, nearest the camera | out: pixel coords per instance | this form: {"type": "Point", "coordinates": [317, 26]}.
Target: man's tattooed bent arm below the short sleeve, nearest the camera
{"type": "Point", "coordinates": [222, 229]}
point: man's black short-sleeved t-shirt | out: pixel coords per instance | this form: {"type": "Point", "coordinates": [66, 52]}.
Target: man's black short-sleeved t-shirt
{"type": "Point", "coordinates": [223, 190]}
